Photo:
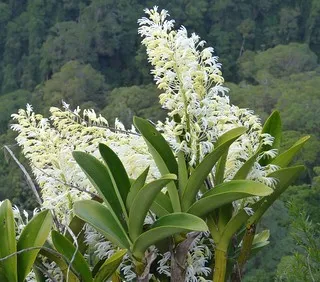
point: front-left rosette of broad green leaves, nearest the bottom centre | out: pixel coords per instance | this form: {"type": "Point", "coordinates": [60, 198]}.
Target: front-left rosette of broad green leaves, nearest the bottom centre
{"type": "Point", "coordinates": [119, 225]}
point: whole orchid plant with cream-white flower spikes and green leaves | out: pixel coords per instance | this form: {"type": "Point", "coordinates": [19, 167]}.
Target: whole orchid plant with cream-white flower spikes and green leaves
{"type": "Point", "coordinates": [177, 200]}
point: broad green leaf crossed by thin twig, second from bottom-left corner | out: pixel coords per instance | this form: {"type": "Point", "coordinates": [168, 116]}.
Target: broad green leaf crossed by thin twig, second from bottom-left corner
{"type": "Point", "coordinates": [33, 235]}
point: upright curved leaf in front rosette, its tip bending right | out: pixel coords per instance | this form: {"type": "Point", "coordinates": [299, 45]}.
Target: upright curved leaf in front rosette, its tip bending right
{"type": "Point", "coordinates": [142, 203]}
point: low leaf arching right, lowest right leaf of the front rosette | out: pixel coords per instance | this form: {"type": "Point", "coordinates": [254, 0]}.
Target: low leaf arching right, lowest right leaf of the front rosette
{"type": "Point", "coordinates": [166, 227]}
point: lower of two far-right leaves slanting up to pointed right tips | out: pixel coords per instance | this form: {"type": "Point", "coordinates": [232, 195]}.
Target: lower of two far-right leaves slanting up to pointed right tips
{"type": "Point", "coordinates": [285, 177]}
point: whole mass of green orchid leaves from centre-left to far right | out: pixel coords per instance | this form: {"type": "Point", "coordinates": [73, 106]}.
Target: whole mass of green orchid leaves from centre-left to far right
{"type": "Point", "coordinates": [121, 219]}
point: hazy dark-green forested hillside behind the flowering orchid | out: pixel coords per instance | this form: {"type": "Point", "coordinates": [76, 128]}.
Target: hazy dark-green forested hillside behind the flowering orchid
{"type": "Point", "coordinates": [88, 53]}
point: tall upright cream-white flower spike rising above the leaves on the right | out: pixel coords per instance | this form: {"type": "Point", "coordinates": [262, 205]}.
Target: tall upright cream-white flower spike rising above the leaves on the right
{"type": "Point", "coordinates": [198, 107]}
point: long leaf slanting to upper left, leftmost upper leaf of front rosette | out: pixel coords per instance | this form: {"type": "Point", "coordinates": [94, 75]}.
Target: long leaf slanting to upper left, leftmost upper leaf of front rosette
{"type": "Point", "coordinates": [100, 177]}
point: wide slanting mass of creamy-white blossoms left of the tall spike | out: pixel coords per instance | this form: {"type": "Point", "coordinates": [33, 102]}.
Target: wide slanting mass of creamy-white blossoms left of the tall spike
{"type": "Point", "coordinates": [49, 143]}
